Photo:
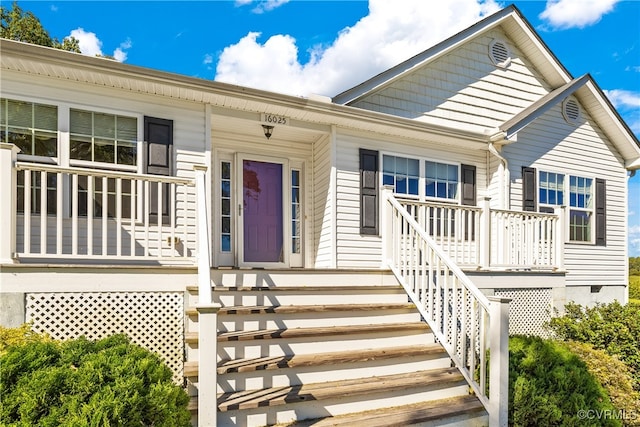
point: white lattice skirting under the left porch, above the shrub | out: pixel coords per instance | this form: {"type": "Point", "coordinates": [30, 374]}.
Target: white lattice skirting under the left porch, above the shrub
{"type": "Point", "coordinates": [153, 320]}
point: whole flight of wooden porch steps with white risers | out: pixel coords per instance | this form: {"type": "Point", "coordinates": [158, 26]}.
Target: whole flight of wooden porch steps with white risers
{"type": "Point", "coordinates": [328, 353]}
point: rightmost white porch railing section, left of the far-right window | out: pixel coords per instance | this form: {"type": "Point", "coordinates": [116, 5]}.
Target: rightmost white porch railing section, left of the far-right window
{"type": "Point", "coordinates": [526, 239]}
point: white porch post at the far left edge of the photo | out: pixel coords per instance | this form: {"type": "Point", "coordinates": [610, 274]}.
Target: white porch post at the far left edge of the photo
{"type": "Point", "coordinates": [8, 201]}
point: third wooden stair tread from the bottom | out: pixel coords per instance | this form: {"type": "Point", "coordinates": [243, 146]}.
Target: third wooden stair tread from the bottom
{"type": "Point", "coordinates": [318, 359]}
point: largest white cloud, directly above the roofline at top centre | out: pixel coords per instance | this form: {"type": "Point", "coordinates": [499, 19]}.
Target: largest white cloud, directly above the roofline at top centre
{"type": "Point", "coordinates": [391, 33]}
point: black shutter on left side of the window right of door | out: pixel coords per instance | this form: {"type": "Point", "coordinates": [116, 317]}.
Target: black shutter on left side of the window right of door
{"type": "Point", "coordinates": [368, 192]}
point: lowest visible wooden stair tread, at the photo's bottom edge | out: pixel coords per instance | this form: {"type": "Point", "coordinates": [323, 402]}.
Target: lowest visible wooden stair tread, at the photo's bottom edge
{"type": "Point", "coordinates": [400, 415]}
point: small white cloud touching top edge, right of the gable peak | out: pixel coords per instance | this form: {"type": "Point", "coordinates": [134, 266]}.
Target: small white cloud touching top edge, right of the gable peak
{"type": "Point", "coordinates": [563, 14]}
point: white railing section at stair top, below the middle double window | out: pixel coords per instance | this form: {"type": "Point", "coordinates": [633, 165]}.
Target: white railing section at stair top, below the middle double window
{"type": "Point", "coordinates": [454, 228]}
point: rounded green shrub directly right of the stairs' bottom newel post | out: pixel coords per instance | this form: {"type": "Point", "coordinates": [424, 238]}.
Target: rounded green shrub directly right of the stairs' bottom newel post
{"type": "Point", "coordinates": [550, 386]}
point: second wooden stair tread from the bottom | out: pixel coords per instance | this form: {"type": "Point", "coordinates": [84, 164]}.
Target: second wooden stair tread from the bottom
{"type": "Point", "coordinates": [249, 399]}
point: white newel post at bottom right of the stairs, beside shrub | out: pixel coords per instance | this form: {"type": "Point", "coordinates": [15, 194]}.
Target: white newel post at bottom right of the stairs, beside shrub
{"type": "Point", "coordinates": [499, 361]}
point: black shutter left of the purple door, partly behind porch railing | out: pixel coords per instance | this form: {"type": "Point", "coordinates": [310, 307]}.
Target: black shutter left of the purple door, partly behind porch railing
{"type": "Point", "coordinates": [158, 139]}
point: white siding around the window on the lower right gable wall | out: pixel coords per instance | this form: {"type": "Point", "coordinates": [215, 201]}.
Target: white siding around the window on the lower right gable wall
{"type": "Point", "coordinates": [551, 144]}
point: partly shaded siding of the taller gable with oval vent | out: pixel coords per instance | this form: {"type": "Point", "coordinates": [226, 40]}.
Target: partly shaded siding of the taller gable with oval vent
{"type": "Point", "coordinates": [463, 89]}
